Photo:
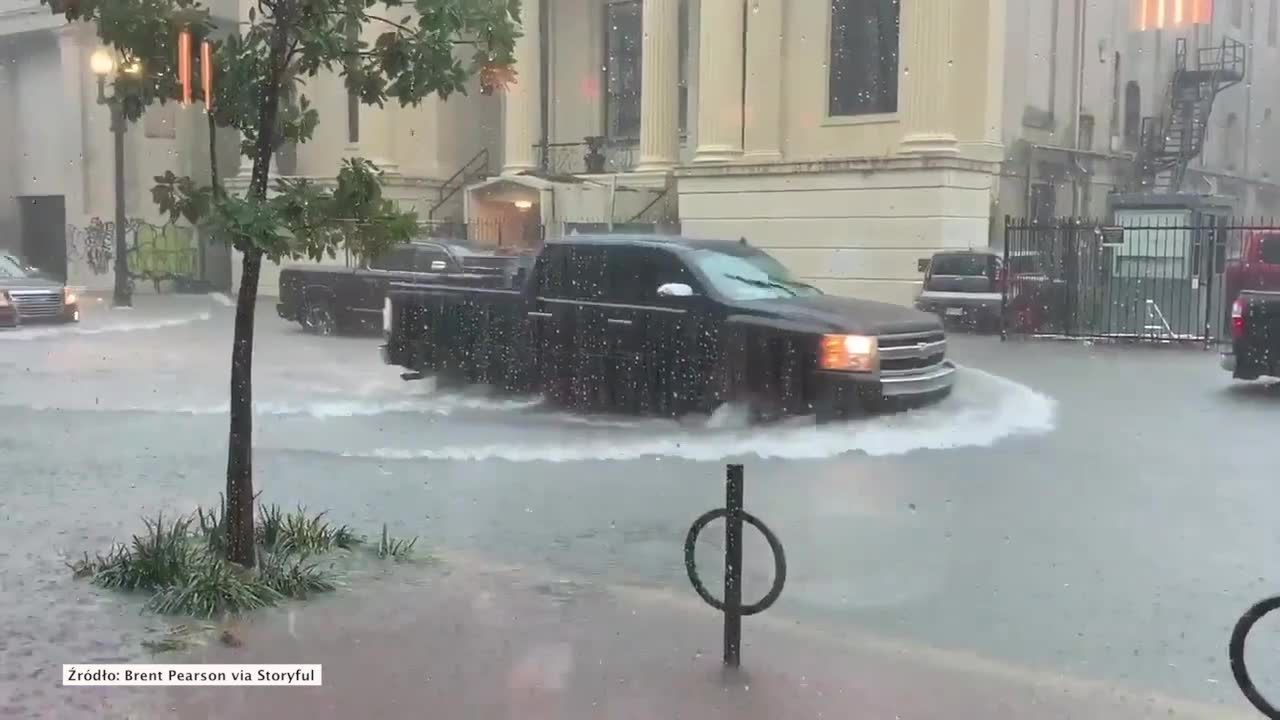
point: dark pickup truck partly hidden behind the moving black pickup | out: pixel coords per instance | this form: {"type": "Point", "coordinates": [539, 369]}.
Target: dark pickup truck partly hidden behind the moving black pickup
{"type": "Point", "coordinates": [328, 299]}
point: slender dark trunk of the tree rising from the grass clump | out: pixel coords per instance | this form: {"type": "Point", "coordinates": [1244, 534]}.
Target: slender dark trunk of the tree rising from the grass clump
{"type": "Point", "coordinates": [240, 445]}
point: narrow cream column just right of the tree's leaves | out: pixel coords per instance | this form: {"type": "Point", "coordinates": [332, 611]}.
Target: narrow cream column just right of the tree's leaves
{"type": "Point", "coordinates": [522, 110]}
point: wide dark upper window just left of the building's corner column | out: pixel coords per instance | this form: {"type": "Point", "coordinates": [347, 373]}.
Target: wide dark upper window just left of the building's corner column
{"type": "Point", "coordinates": [865, 48]}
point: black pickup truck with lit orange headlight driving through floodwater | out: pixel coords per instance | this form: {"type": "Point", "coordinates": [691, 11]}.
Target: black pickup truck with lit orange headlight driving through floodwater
{"type": "Point", "coordinates": [669, 326]}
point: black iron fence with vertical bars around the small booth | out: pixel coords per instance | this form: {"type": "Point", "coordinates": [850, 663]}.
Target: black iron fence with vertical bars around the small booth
{"type": "Point", "coordinates": [1153, 280]}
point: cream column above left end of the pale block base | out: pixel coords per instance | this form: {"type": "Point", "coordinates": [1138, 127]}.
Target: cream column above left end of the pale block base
{"type": "Point", "coordinates": [720, 81]}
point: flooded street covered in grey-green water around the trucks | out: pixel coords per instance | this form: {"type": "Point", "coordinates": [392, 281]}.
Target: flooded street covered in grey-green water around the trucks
{"type": "Point", "coordinates": [1085, 512]}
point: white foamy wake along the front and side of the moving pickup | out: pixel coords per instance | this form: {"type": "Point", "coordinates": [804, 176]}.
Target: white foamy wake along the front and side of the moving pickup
{"type": "Point", "coordinates": [982, 411]}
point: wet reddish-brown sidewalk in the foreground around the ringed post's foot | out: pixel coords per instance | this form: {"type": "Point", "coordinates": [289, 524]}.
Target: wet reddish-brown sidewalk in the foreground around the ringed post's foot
{"type": "Point", "coordinates": [501, 645]}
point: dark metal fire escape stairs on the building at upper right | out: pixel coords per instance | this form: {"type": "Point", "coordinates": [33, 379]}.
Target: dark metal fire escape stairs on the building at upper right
{"type": "Point", "coordinates": [1176, 138]}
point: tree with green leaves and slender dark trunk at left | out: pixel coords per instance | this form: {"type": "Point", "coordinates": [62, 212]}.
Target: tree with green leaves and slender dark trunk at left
{"type": "Point", "coordinates": [419, 52]}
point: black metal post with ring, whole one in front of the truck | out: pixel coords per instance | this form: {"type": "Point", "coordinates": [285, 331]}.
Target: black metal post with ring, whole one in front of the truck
{"type": "Point", "coordinates": [733, 605]}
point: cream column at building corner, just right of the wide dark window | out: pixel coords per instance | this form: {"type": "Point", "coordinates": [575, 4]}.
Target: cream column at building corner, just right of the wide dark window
{"type": "Point", "coordinates": [926, 78]}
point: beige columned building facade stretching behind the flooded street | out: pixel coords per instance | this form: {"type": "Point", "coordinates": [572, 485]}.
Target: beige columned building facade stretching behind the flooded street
{"type": "Point", "coordinates": [849, 138]}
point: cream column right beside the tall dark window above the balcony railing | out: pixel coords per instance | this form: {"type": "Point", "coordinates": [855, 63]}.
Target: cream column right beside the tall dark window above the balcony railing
{"type": "Point", "coordinates": [660, 78]}
